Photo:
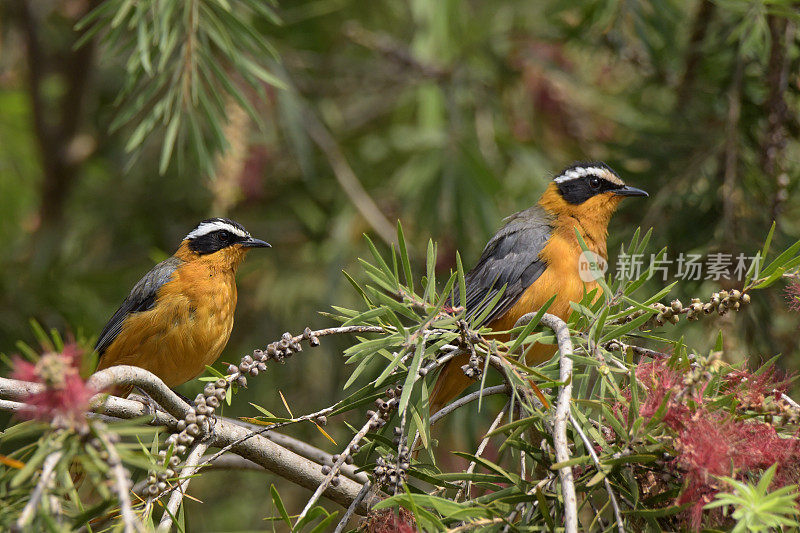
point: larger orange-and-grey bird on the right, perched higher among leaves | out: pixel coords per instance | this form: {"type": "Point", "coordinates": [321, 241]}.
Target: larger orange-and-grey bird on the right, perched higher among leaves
{"type": "Point", "coordinates": [536, 255]}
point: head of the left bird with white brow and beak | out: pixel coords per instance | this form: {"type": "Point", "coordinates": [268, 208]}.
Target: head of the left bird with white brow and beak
{"type": "Point", "coordinates": [221, 238]}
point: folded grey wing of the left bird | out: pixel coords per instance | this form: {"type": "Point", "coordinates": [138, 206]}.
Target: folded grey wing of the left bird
{"type": "Point", "coordinates": [141, 298]}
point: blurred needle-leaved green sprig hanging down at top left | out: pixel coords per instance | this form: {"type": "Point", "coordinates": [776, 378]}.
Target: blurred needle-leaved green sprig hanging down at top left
{"type": "Point", "coordinates": [183, 60]}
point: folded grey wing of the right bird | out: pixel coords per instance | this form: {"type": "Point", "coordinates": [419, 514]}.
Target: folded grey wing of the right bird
{"type": "Point", "coordinates": [511, 260]}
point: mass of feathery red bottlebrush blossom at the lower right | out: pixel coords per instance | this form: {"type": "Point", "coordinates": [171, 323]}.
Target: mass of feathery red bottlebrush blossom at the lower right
{"type": "Point", "coordinates": [711, 444]}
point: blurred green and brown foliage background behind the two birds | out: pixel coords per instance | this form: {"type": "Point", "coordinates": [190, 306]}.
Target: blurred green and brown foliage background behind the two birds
{"type": "Point", "coordinates": [340, 117]}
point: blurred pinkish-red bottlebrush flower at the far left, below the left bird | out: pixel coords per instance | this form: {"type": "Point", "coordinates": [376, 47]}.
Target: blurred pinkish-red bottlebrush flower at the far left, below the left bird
{"type": "Point", "coordinates": [65, 397]}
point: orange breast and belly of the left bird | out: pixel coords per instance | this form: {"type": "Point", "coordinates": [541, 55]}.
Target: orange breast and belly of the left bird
{"type": "Point", "coordinates": [186, 329]}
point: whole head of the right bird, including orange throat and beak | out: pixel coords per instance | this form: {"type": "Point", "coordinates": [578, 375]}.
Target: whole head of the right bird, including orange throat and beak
{"type": "Point", "coordinates": [587, 192]}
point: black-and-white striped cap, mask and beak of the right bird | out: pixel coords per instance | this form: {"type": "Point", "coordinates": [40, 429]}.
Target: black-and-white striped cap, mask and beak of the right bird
{"type": "Point", "coordinates": [581, 181]}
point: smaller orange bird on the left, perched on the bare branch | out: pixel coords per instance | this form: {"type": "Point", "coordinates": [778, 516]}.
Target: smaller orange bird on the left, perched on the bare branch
{"type": "Point", "coordinates": [179, 316]}
